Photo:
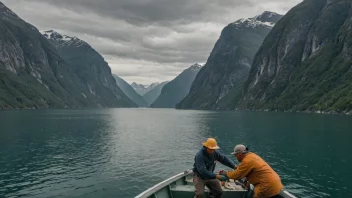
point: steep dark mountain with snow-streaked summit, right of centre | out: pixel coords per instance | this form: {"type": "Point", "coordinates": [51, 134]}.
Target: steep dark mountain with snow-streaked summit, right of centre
{"type": "Point", "coordinates": [219, 84]}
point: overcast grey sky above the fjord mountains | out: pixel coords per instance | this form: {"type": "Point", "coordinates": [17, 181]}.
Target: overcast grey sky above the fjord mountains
{"type": "Point", "coordinates": [145, 40]}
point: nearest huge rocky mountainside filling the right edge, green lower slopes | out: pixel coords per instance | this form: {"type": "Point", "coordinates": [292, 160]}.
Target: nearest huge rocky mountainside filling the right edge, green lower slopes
{"type": "Point", "coordinates": [304, 64]}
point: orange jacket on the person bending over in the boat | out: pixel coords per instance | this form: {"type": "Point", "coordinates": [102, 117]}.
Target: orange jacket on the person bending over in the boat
{"type": "Point", "coordinates": [266, 181]}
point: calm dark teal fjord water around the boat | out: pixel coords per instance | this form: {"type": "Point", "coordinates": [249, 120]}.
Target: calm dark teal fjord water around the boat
{"type": "Point", "coordinates": [121, 152]}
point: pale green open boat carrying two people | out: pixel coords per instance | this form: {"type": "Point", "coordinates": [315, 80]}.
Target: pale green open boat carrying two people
{"type": "Point", "coordinates": [181, 186]}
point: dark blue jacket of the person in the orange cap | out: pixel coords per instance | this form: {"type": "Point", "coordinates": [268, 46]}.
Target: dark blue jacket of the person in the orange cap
{"type": "Point", "coordinates": [204, 163]}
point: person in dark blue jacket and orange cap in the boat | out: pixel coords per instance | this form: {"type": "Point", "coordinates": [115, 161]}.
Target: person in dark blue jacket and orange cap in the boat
{"type": "Point", "coordinates": [203, 169]}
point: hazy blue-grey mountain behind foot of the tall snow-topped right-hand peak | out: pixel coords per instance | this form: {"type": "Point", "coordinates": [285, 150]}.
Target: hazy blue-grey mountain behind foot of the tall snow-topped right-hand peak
{"type": "Point", "coordinates": [174, 91]}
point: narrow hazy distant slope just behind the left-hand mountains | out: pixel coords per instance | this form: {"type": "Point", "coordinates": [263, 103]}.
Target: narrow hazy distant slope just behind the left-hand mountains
{"type": "Point", "coordinates": [130, 92]}
